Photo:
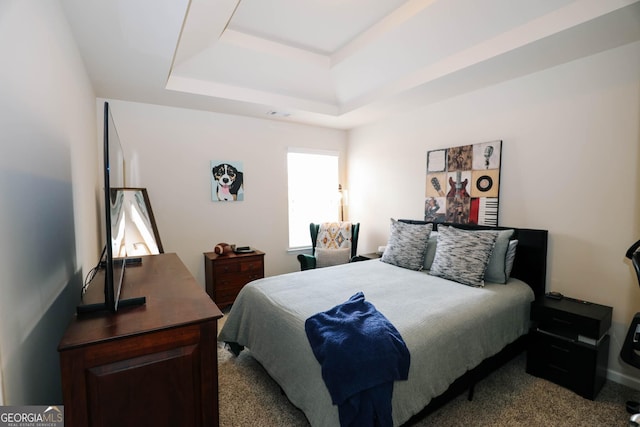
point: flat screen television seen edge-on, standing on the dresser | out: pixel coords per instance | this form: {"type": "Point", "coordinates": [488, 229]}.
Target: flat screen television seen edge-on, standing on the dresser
{"type": "Point", "coordinates": [113, 258]}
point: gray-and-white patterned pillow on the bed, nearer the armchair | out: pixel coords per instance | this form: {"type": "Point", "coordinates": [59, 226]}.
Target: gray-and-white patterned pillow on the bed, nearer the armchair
{"type": "Point", "coordinates": [407, 245]}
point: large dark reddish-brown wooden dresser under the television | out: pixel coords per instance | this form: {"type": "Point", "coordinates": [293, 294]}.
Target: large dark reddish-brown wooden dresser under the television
{"type": "Point", "coordinates": [152, 365]}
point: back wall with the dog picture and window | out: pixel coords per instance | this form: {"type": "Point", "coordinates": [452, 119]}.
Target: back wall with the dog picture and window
{"type": "Point", "coordinates": [168, 152]}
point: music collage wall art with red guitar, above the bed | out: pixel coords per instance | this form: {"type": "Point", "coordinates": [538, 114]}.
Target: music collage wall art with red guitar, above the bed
{"type": "Point", "coordinates": [463, 184]}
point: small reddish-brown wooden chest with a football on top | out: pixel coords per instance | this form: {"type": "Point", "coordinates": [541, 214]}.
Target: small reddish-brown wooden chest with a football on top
{"type": "Point", "coordinates": [225, 275]}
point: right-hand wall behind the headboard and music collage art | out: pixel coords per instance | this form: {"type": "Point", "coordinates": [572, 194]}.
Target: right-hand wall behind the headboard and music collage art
{"type": "Point", "coordinates": [571, 162]}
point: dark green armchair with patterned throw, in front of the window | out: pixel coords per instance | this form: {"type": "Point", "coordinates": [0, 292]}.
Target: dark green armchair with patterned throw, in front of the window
{"type": "Point", "coordinates": [332, 243]}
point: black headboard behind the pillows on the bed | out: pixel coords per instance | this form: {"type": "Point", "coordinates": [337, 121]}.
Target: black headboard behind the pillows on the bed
{"type": "Point", "coordinates": [530, 264]}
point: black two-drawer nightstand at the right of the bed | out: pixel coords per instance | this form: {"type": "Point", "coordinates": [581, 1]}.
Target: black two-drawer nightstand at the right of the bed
{"type": "Point", "coordinates": [569, 344]}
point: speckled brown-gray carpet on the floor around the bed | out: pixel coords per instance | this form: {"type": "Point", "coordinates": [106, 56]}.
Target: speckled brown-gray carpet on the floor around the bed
{"type": "Point", "coordinates": [508, 397]}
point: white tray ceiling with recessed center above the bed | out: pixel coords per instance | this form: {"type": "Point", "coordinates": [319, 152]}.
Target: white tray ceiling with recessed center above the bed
{"type": "Point", "coordinates": [337, 63]}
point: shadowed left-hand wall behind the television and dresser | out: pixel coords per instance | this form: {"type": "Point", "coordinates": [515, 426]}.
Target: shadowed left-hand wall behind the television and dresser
{"type": "Point", "coordinates": [48, 183]}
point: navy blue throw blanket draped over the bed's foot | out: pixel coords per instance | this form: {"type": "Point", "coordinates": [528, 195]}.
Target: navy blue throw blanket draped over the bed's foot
{"type": "Point", "coordinates": [361, 354]}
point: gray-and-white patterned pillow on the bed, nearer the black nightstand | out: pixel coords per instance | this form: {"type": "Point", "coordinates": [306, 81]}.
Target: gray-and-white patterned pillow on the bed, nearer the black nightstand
{"type": "Point", "coordinates": [462, 256]}
